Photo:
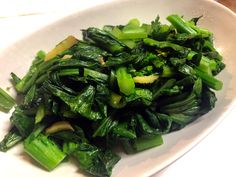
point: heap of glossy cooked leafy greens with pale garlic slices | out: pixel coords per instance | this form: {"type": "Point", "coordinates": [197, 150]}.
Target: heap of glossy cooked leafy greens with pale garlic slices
{"type": "Point", "coordinates": [121, 86]}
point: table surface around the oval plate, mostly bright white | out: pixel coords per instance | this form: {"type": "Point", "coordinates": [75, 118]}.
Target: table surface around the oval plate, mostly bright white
{"type": "Point", "coordinates": [213, 156]}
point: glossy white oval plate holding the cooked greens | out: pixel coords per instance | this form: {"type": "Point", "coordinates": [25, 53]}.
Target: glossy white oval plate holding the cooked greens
{"type": "Point", "coordinates": [217, 19]}
